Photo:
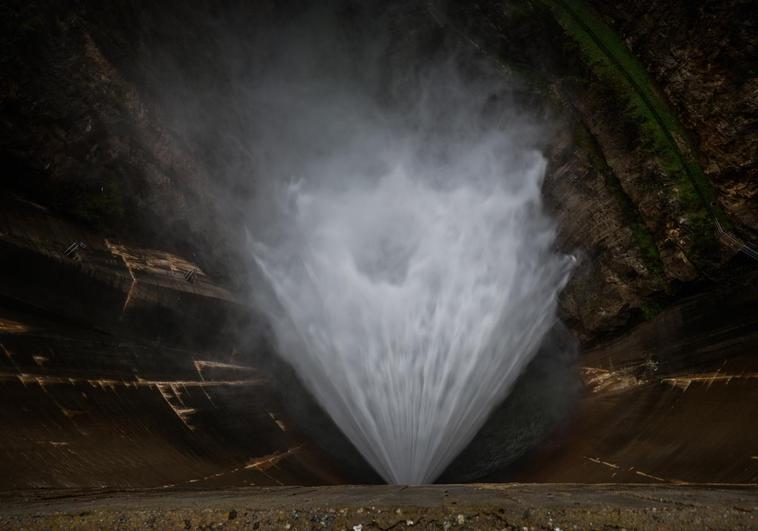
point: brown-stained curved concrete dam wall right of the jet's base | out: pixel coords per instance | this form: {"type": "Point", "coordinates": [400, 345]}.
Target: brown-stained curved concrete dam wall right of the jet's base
{"type": "Point", "coordinates": [672, 401]}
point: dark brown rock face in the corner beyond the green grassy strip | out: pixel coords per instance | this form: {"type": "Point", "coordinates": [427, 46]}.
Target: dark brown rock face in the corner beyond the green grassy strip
{"type": "Point", "coordinates": [700, 57]}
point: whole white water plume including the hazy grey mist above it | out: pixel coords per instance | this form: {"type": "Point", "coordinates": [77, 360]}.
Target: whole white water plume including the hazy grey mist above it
{"type": "Point", "coordinates": [400, 227]}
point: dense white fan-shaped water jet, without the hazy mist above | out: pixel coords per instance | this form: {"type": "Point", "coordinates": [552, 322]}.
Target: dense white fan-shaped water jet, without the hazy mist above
{"type": "Point", "coordinates": [411, 304]}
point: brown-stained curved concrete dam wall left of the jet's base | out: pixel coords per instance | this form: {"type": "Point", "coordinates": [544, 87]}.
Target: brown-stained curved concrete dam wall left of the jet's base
{"type": "Point", "coordinates": [82, 409]}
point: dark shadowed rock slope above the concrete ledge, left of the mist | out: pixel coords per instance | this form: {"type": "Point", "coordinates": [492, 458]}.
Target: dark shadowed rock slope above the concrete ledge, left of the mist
{"type": "Point", "coordinates": [79, 137]}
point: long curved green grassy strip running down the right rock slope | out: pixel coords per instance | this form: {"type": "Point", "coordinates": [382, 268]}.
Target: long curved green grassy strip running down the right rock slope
{"type": "Point", "coordinates": [606, 55]}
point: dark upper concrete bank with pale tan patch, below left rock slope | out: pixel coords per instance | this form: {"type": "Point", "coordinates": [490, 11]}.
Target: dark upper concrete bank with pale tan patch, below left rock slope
{"type": "Point", "coordinates": [70, 272]}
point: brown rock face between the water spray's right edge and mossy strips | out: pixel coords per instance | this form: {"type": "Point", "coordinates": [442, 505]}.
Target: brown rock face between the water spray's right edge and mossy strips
{"type": "Point", "coordinates": [616, 274]}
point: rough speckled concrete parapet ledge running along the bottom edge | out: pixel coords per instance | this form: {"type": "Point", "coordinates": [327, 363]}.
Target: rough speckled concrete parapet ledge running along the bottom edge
{"type": "Point", "coordinates": [486, 506]}
